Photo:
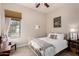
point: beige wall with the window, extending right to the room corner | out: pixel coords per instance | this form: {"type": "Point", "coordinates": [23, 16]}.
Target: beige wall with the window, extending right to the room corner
{"type": "Point", "coordinates": [30, 18]}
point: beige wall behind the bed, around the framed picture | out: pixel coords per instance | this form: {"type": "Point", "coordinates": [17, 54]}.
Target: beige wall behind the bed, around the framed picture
{"type": "Point", "coordinates": [69, 18]}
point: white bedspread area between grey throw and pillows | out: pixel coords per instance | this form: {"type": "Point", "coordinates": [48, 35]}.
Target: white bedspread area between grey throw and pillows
{"type": "Point", "coordinates": [58, 44]}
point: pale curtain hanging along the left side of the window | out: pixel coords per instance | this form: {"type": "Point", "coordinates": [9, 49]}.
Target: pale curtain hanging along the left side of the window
{"type": "Point", "coordinates": [5, 40]}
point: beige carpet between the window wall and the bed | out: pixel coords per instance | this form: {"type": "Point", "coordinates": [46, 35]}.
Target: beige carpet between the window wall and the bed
{"type": "Point", "coordinates": [23, 51]}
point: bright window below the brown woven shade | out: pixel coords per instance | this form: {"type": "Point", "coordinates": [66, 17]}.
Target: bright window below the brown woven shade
{"type": "Point", "coordinates": [14, 28]}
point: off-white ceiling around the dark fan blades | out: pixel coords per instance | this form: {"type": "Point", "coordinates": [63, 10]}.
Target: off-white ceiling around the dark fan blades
{"type": "Point", "coordinates": [42, 8]}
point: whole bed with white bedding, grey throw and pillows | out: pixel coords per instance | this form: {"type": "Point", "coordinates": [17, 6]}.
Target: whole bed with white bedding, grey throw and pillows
{"type": "Point", "coordinates": [50, 45]}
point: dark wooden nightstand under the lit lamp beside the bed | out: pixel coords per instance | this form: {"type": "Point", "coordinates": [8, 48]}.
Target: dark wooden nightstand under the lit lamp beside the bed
{"type": "Point", "coordinates": [73, 46]}
